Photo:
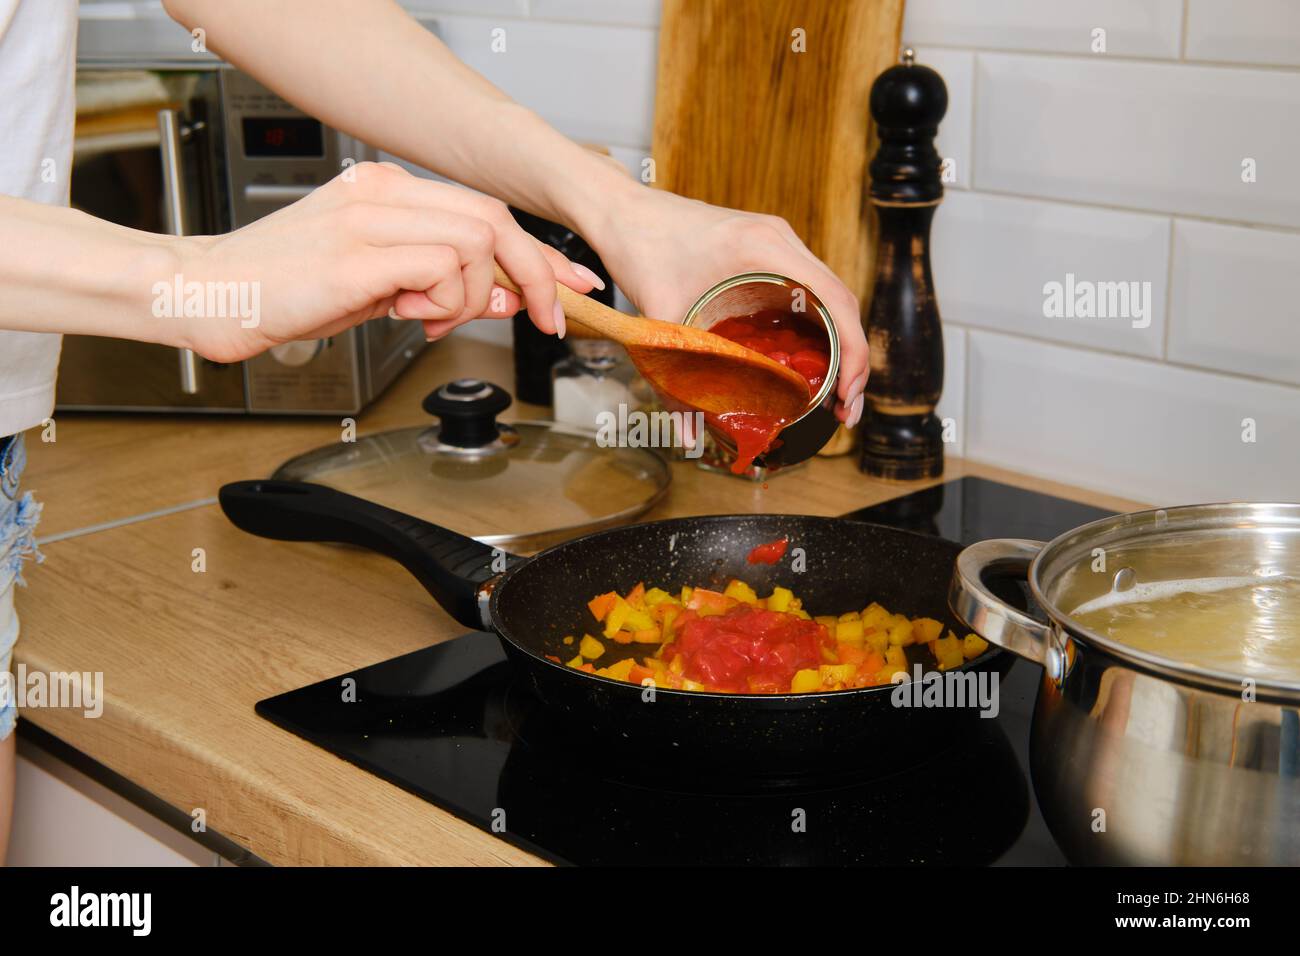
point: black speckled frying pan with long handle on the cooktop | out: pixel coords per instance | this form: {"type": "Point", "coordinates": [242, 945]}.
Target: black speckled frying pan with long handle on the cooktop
{"type": "Point", "coordinates": [534, 603]}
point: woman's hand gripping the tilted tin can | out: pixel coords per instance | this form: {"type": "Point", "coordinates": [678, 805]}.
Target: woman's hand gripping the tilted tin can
{"type": "Point", "coordinates": [665, 252]}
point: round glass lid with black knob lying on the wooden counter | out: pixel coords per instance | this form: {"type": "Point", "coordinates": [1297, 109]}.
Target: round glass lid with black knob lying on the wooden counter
{"type": "Point", "coordinates": [522, 486]}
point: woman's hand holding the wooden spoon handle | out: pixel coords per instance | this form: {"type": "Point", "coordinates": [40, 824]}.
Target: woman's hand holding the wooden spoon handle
{"type": "Point", "coordinates": [374, 241]}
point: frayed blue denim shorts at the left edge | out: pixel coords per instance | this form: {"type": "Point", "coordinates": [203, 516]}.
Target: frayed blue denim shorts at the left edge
{"type": "Point", "coordinates": [19, 517]}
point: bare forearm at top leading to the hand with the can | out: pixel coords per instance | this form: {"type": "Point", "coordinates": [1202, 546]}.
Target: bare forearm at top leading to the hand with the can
{"type": "Point", "coordinates": [370, 70]}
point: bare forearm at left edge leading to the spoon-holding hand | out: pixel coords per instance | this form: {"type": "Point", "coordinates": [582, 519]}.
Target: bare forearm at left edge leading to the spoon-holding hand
{"type": "Point", "coordinates": [64, 271]}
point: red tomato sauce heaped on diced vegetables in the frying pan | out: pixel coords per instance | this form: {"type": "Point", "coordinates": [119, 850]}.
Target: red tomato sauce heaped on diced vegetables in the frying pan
{"type": "Point", "coordinates": [748, 650]}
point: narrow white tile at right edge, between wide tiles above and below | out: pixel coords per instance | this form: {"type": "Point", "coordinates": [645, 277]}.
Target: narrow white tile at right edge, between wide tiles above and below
{"type": "Point", "coordinates": [1234, 293]}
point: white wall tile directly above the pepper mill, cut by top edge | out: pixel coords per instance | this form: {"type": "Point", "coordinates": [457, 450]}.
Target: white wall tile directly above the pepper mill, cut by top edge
{"type": "Point", "coordinates": [1134, 28]}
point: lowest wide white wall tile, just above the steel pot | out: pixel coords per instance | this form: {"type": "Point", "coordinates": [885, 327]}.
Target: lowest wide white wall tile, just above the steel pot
{"type": "Point", "coordinates": [1145, 430]}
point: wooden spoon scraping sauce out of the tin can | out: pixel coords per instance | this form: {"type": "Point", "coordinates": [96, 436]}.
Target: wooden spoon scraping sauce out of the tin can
{"type": "Point", "coordinates": [691, 366]}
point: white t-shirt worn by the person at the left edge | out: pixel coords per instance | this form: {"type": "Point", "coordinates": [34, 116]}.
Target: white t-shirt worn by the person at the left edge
{"type": "Point", "coordinates": [38, 109]}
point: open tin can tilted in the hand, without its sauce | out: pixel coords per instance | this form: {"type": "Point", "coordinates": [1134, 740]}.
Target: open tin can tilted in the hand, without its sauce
{"type": "Point", "coordinates": [755, 292]}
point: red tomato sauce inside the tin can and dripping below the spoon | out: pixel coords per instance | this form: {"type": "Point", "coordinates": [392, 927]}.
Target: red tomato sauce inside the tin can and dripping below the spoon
{"type": "Point", "coordinates": [787, 340]}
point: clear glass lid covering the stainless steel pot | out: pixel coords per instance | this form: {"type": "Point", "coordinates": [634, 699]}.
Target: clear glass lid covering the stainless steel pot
{"type": "Point", "coordinates": [1207, 592]}
